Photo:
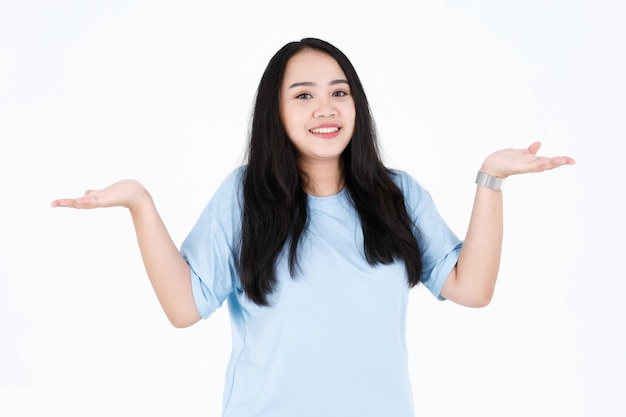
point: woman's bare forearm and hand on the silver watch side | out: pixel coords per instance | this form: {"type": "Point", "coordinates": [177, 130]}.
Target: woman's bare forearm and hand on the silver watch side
{"type": "Point", "coordinates": [472, 281]}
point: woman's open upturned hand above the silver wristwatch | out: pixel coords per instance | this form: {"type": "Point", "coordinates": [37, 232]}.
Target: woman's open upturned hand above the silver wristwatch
{"type": "Point", "coordinates": [521, 161]}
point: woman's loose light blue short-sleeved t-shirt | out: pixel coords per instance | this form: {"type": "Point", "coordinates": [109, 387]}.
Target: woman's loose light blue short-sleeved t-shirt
{"type": "Point", "coordinates": [333, 341]}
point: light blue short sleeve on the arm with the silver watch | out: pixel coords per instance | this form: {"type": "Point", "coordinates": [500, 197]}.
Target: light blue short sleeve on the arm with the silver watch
{"type": "Point", "coordinates": [439, 245]}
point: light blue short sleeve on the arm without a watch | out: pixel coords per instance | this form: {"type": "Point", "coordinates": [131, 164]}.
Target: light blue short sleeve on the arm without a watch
{"type": "Point", "coordinates": [210, 248]}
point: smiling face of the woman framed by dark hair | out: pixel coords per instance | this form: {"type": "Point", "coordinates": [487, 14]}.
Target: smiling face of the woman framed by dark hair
{"type": "Point", "coordinates": [316, 107]}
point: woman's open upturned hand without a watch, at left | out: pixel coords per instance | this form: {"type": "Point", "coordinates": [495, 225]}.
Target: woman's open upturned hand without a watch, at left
{"type": "Point", "coordinates": [125, 193]}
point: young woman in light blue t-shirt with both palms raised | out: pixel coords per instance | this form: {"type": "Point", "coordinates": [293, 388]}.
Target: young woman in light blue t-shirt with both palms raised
{"type": "Point", "coordinates": [315, 245]}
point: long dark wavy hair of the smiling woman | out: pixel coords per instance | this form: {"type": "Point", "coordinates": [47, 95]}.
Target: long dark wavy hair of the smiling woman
{"type": "Point", "coordinates": [275, 201]}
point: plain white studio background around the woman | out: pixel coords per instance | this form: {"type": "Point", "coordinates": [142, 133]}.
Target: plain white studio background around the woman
{"type": "Point", "coordinates": [92, 92]}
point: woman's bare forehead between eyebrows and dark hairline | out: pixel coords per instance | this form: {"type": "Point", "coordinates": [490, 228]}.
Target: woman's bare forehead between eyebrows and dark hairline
{"type": "Point", "coordinates": [311, 65]}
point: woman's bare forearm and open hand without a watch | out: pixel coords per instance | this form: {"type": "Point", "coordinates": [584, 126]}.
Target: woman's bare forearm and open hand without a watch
{"type": "Point", "coordinates": [168, 272]}
